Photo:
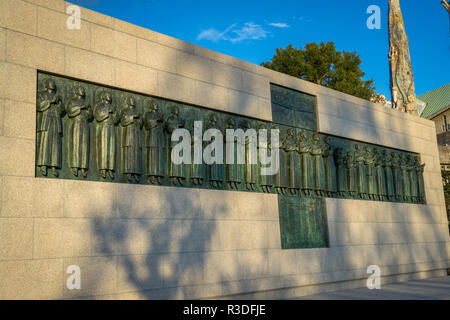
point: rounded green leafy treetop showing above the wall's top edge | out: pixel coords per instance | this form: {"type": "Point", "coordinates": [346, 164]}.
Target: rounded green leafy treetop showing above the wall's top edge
{"type": "Point", "coordinates": [324, 65]}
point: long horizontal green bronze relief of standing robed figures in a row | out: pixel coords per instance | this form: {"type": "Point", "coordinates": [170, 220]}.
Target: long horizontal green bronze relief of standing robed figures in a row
{"type": "Point", "coordinates": [89, 132]}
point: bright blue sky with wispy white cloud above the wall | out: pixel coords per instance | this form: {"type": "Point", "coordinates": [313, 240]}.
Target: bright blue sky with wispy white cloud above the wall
{"type": "Point", "coordinates": [251, 30]}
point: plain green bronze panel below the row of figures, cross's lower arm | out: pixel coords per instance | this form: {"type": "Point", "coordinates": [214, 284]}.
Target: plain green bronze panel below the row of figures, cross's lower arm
{"type": "Point", "coordinates": [303, 223]}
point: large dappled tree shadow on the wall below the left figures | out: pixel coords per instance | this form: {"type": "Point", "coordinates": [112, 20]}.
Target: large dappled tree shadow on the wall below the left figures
{"type": "Point", "coordinates": [159, 256]}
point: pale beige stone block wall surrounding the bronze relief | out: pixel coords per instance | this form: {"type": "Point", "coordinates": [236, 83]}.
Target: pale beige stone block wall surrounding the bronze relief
{"type": "Point", "coordinates": [160, 242]}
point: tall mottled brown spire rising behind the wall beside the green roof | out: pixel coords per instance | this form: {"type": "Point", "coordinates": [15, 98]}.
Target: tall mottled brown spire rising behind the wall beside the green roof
{"type": "Point", "coordinates": [402, 79]}
